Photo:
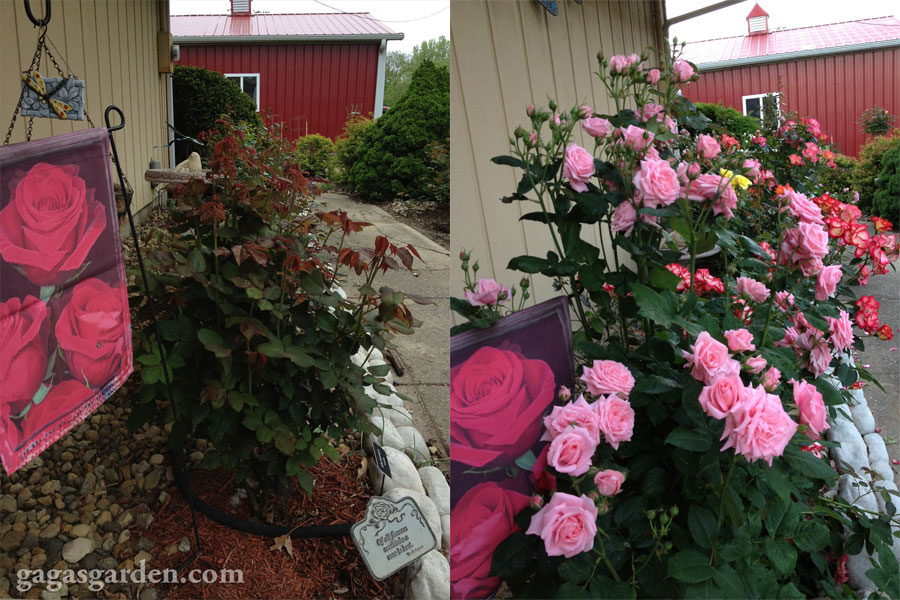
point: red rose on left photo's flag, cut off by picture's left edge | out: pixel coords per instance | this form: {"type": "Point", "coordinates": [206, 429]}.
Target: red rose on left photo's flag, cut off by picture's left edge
{"type": "Point", "coordinates": [24, 328]}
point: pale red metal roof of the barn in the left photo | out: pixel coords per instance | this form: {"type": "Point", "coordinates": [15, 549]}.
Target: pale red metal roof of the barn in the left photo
{"type": "Point", "coordinates": [280, 26]}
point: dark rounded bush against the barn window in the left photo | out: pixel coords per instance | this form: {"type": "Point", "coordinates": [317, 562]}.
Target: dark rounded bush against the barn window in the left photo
{"type": "Point", "coordinates": [201, 97]}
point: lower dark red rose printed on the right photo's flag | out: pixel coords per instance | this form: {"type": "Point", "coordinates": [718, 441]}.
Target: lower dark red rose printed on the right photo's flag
{"type": "Point", "coordinates": [481, 519]}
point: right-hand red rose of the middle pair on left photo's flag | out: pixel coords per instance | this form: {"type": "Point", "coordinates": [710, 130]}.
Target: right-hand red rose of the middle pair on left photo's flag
{"type": "Point", "coordinates": [92, 329]}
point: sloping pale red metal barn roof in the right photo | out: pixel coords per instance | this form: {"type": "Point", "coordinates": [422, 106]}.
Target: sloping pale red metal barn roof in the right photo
{"type": "Point", "coordinates": [834, 35]}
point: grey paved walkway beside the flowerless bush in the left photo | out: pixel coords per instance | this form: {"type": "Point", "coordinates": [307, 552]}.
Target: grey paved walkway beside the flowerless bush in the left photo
{"type": "Point", "coordinates": [425, 355]}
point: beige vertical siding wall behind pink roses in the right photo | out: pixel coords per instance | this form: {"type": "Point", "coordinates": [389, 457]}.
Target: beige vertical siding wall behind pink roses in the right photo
{"type": "Point", "coordinates": [504, 55]}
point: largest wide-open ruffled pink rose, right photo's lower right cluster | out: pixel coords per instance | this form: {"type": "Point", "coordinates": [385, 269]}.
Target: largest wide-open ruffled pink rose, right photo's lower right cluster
{"type": "Point", "coordinates": [758, 428]}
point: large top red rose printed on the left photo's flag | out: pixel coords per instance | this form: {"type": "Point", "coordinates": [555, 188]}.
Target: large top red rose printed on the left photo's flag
{"type": "Point", "coordinates": [50, 224]}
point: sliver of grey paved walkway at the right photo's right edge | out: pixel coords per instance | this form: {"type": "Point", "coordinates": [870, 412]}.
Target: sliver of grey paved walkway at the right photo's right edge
{"type": "Point", "coordinates": [883, 363]}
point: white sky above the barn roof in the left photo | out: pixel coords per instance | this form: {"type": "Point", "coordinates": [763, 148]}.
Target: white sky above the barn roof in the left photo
{"type": "Point", "coordinates": [415, 19]}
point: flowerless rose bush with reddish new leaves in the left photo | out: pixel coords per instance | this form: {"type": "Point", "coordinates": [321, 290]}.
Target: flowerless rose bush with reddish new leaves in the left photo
{"type": "Point", "coordinates": [258, 336]}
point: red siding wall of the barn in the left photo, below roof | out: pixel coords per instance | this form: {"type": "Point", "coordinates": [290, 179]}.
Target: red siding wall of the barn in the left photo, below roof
{"type": "Point", "coordinates": [311, 88]}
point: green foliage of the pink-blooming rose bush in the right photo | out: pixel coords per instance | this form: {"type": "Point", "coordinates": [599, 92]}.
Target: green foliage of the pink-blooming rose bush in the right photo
{"type": "Point", "coordinates": [691, 520]}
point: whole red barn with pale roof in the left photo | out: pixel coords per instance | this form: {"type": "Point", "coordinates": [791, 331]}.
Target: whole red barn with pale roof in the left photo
{"type": "Point", "coordinates": [308, 71]}
